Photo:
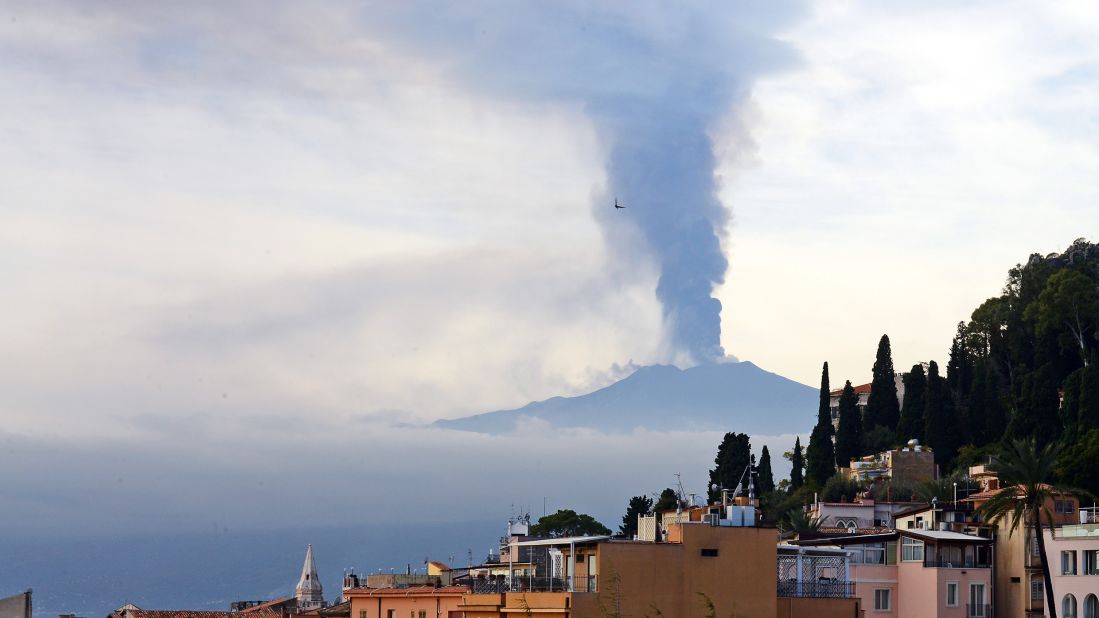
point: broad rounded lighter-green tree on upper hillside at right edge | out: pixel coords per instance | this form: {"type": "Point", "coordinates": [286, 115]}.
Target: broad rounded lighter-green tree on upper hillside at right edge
{"type": "Point", "coordinates": [1070, 305]}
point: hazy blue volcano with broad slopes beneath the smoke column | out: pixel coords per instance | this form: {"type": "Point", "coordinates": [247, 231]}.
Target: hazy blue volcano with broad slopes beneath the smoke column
{"type": "Point", "coordinates": [719, 396]}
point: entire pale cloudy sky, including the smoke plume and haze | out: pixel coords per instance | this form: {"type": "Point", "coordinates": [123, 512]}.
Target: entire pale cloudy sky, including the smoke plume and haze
{"type": "Point", "coordinates": [246, 248]}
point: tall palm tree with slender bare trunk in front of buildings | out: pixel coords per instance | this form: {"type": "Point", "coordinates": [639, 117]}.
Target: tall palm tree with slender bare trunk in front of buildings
{"type": "Point", "coordinates": [1026, 472]}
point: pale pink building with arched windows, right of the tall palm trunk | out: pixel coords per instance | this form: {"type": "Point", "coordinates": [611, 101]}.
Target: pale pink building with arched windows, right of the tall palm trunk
{"type": "Point", "coordinates": [1073, 555]}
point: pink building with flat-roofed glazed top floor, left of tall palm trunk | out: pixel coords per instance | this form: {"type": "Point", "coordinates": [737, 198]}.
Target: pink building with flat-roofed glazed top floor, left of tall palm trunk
{"type": "Point", "coordinates": [919, 573]}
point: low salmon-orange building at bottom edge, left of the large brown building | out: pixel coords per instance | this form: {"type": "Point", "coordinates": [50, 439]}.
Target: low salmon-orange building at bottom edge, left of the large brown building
{"type": "Point", "coordinates": [418, 602]}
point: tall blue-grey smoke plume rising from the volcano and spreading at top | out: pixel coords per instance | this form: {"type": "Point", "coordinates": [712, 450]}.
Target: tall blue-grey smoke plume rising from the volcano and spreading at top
{"type": "Point", "coordinates": [654, 79]}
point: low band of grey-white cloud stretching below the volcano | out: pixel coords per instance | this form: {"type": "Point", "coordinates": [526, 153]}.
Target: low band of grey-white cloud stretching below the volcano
{"type": "Point", "coordinates": [212, 473]}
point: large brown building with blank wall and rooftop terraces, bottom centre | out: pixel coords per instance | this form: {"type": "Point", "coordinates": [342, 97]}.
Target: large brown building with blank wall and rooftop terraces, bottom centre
{"type": "Point", "coordinates": [697, 558]}
